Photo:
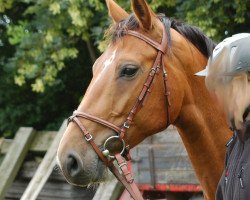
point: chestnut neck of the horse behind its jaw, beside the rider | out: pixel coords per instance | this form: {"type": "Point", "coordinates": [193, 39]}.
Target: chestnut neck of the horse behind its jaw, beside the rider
{"type": "Point", "coordinates": [203, 128]}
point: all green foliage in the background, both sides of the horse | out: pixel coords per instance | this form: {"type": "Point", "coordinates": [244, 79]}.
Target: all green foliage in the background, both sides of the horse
{"type": "Point", "coordinates": [45, 50]}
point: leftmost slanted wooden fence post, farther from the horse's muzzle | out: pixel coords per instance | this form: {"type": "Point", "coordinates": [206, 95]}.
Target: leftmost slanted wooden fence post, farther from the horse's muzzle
{"type": "Point", "coordinates": [14, 158]}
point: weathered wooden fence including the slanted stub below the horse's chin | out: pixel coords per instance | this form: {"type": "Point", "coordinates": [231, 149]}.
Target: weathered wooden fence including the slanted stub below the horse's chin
{"type": "Point", "coordinates": [13, 153]}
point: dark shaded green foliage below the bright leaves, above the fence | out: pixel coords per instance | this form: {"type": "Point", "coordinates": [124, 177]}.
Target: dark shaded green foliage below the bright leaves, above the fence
{"type": "Point", "coordinates": [19, 106]}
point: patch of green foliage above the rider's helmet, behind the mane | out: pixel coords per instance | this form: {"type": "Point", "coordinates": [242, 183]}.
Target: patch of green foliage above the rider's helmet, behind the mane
{"type": "Point", "coordinates": [217, 18]}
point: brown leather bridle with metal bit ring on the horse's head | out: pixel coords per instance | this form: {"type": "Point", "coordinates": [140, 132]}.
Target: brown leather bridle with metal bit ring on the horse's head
{"type": "Point", "coordinates": [125, 177]}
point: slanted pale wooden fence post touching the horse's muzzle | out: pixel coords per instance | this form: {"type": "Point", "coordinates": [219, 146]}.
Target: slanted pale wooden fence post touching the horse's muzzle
{"type": "Point", "coordinates": [45, 168]}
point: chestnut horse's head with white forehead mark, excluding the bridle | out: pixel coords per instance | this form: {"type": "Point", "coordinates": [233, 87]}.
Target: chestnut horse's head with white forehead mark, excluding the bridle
{"type": "Point", "coordinates": [118, 76]}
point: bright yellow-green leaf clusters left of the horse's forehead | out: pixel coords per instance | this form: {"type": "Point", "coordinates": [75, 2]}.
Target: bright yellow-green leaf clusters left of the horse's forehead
{"type": "Point", "coordinates": [46, 38]}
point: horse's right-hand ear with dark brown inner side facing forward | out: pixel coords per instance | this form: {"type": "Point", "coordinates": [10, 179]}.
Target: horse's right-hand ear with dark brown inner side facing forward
{"type": "Point", "coordinates": [143, 12]}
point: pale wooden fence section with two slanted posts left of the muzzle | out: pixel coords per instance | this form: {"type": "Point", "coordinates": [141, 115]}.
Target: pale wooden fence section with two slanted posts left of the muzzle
{"type": "Point", "coordinates": [16, 151]}
